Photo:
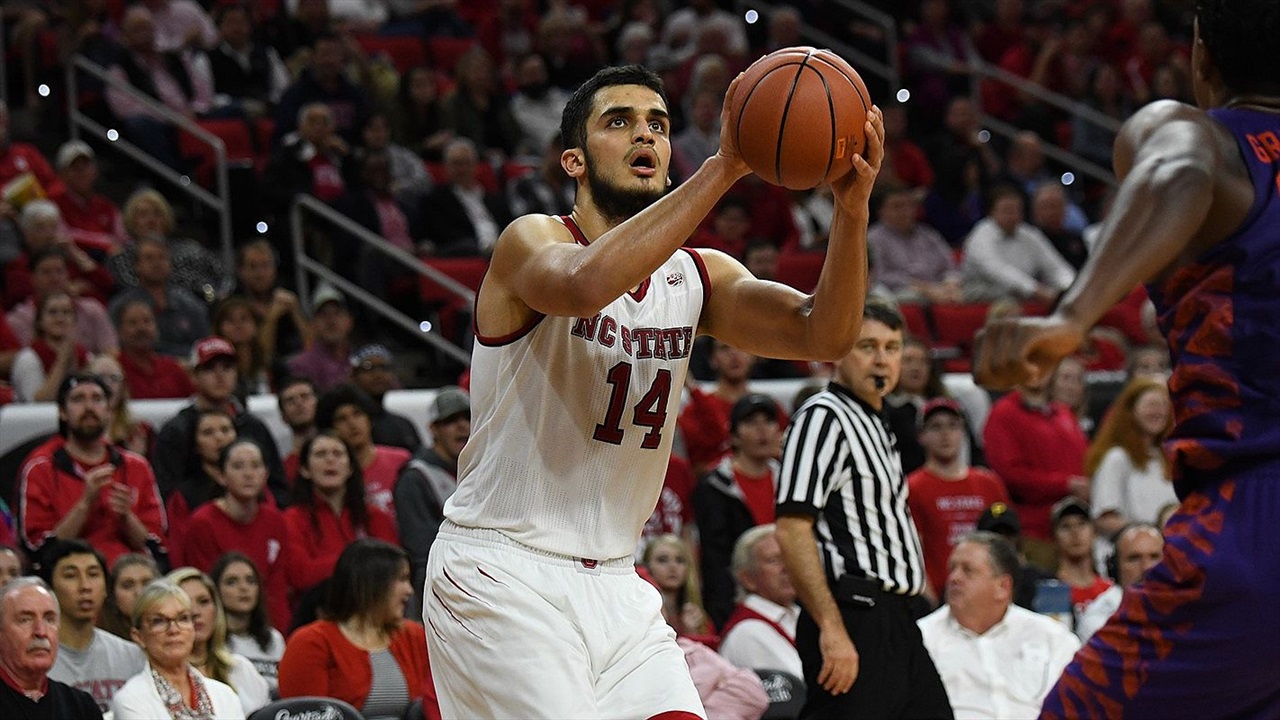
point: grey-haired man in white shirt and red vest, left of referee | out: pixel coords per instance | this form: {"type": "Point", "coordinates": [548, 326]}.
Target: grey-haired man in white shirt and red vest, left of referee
{"type": "Point", "coordinates": [761, 634]}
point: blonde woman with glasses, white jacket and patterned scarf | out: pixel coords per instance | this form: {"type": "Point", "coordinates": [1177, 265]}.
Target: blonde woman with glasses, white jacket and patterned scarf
{"type": "Point", "coordinates": [170, 687]}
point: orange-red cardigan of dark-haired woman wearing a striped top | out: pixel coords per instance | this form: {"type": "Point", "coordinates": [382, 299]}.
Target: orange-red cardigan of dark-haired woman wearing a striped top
{"type": "Point", "coordinates": [319, 660]}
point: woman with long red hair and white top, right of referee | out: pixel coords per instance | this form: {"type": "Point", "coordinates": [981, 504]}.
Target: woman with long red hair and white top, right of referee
{"type": "Point", "coordinates": [1130, 470]}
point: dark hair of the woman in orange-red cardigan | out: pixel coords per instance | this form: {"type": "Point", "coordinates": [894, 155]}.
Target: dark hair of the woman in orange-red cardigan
{"type": "Point", "coordinates": [364, 578]}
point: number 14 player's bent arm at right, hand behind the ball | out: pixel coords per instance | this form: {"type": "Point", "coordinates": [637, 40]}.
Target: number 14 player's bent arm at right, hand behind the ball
{"type": "Point", "coordinates": [775, 321]}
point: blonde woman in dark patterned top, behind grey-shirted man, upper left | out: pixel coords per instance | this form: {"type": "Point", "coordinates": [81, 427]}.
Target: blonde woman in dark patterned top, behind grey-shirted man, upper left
{"type": "Point", "coordinates": [194, 267]}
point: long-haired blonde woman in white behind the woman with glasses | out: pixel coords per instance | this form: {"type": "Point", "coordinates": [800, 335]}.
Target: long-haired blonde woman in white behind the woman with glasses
{"type": "Point", "coordinates": [209, 653]}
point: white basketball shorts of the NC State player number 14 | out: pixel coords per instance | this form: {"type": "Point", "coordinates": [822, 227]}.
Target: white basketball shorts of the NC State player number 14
{"type": "Point", "coordinates": [515, 632]}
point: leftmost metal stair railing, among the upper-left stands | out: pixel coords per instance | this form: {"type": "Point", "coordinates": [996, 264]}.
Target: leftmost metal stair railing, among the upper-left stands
{"type": "Point", "coordinates": [218, 202]}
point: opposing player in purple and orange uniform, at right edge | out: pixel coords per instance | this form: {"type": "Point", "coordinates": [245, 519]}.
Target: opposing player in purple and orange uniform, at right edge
{"type": "Point", "coordinates": [1199, 218]}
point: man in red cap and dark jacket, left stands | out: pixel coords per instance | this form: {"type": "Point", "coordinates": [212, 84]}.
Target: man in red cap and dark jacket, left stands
{"type": "Point", "coordinates": [216, 375]}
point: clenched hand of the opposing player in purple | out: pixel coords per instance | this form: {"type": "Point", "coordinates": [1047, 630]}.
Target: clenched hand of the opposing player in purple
{"type": "Point", "coordinates": [1023, 350]}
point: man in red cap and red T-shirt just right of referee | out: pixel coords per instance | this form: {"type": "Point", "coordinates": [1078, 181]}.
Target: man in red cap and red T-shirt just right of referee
{"type": "Point", "coordinates": [947, 496]}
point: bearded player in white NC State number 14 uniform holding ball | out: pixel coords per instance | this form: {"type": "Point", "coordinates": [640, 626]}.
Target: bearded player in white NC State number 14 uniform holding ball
{"type": "Point", "coordinates": [584, 326]}
